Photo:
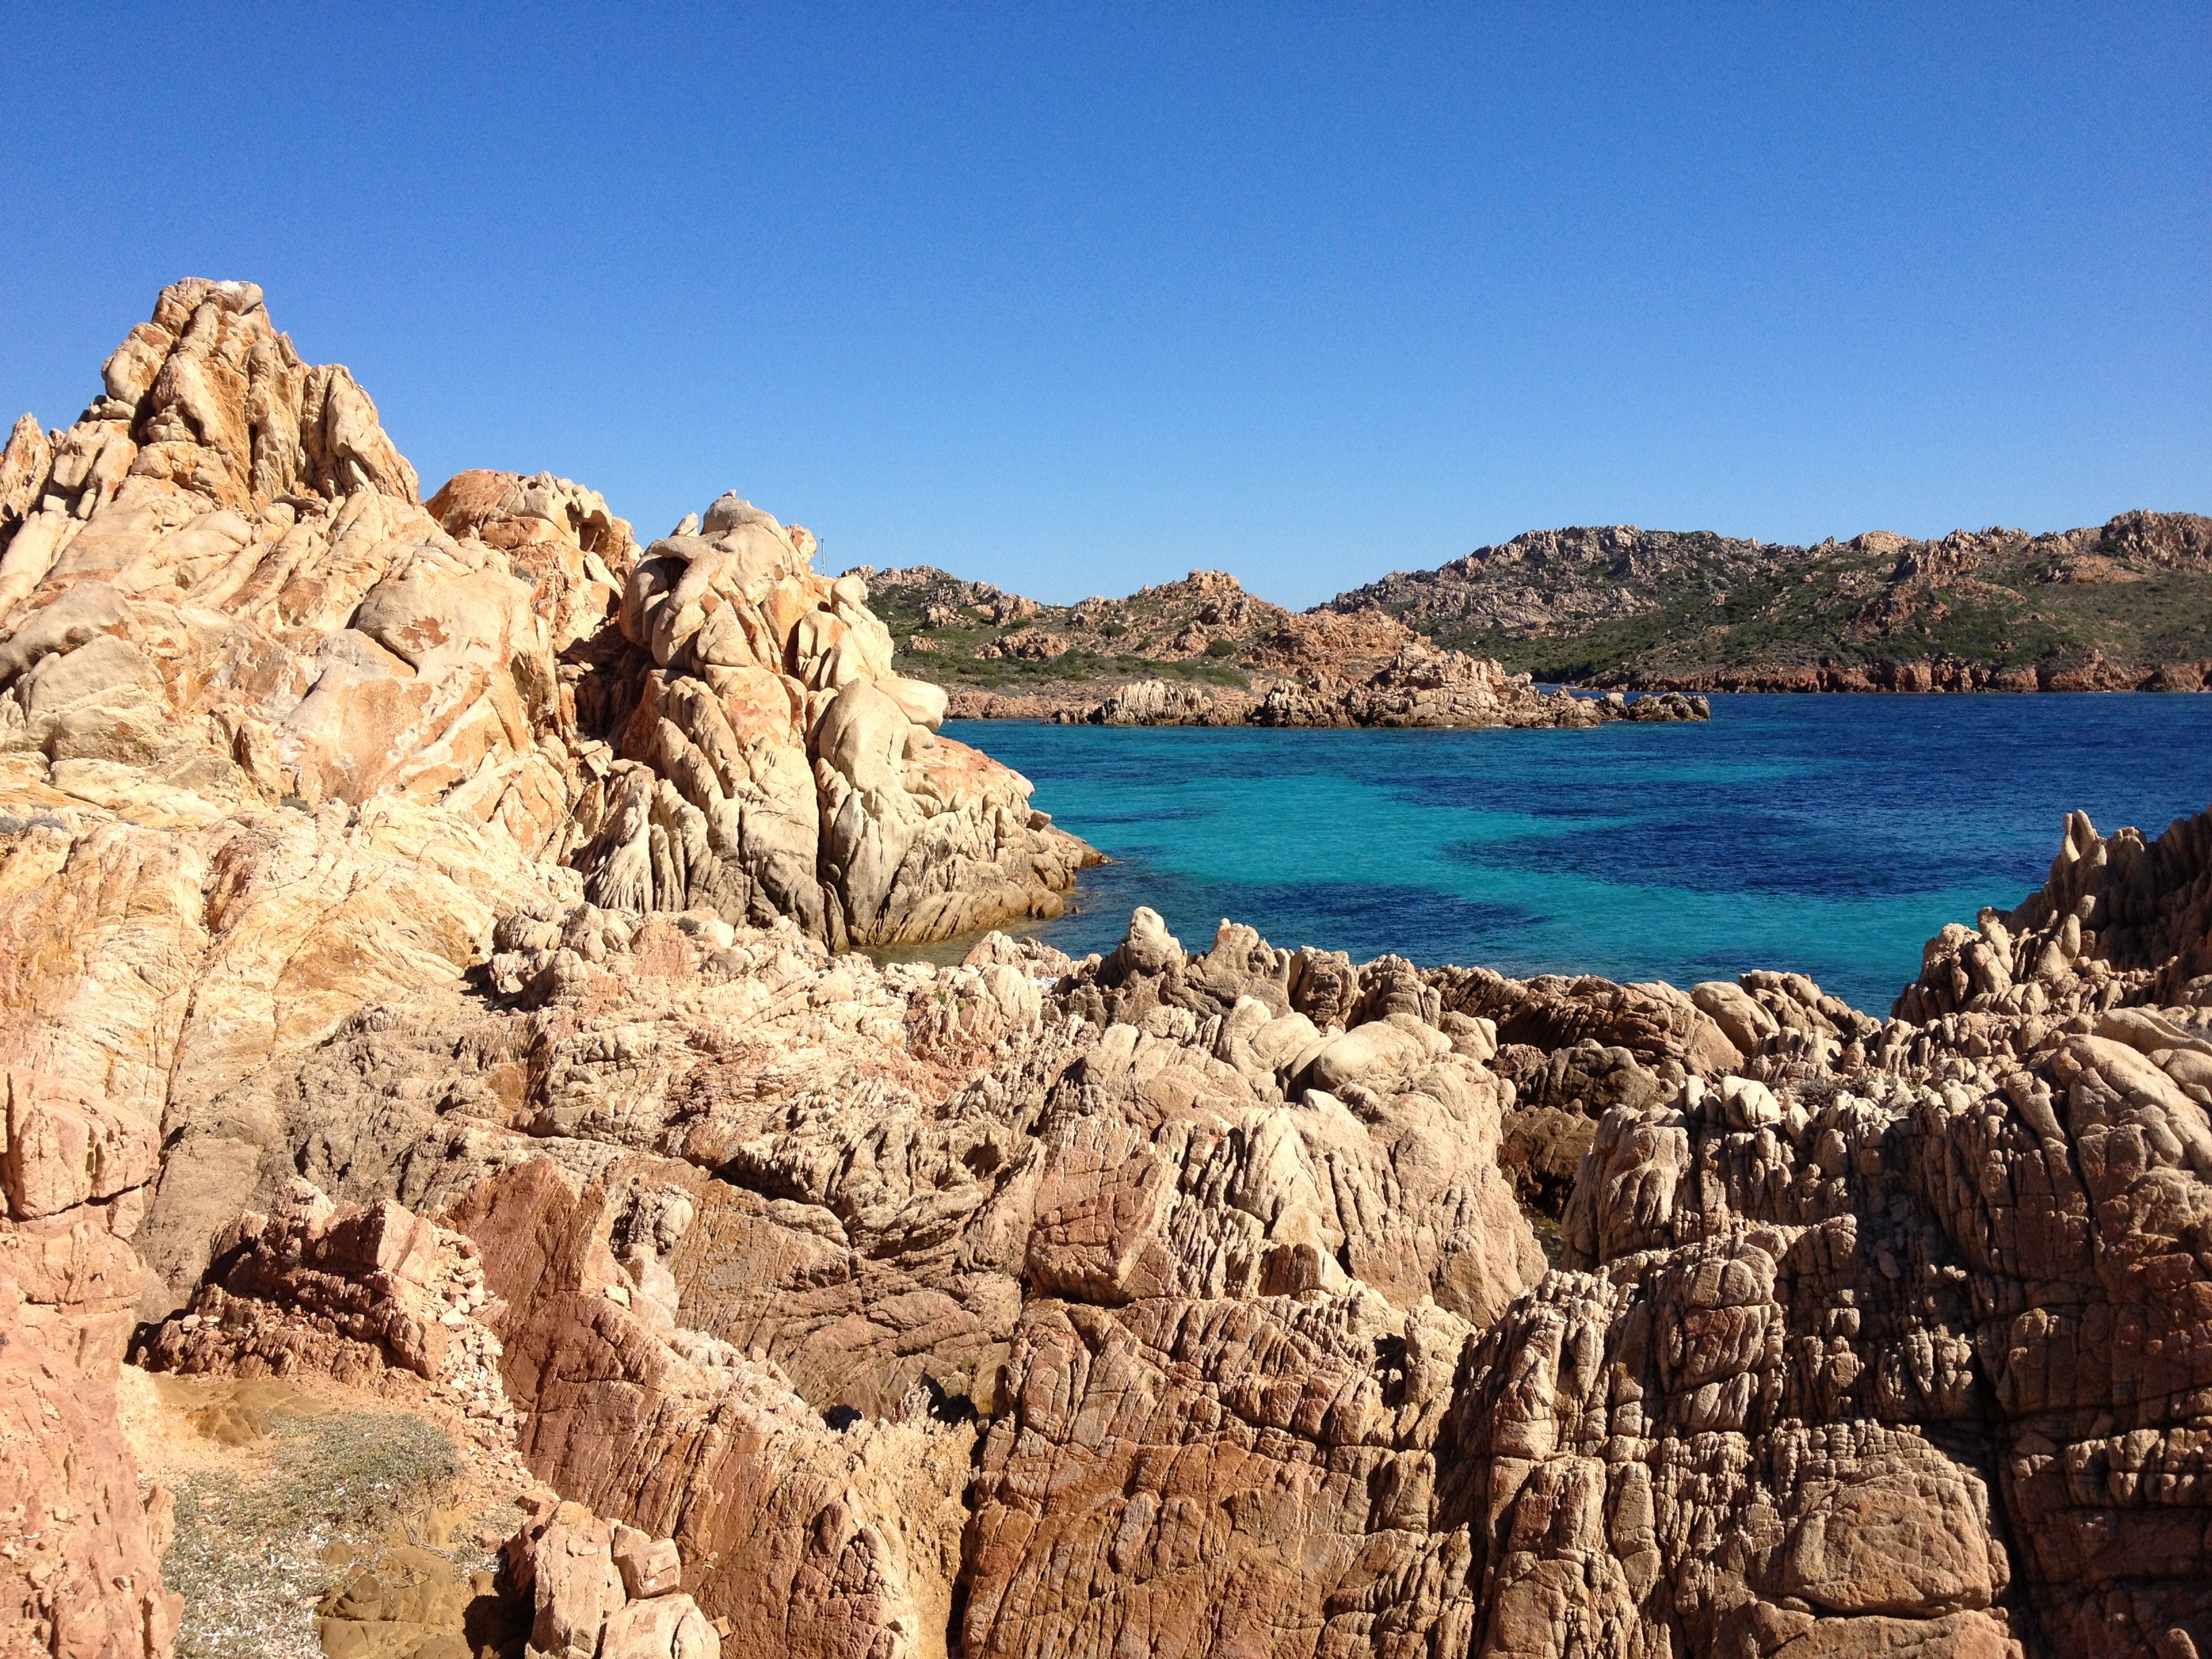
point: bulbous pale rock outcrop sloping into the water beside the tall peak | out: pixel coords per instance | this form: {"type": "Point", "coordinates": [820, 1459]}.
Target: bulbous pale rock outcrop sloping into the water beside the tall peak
{"type": "Point", "coordinates": [771, 762]}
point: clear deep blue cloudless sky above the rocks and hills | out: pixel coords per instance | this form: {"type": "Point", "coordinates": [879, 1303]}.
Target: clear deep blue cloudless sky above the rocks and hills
{"type": "Point", "coordinates": [1081, 298]}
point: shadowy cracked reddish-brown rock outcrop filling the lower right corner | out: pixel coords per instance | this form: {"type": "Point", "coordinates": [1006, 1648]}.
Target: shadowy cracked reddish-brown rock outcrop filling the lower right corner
{"type": "Point", "coordinates": [1897, 1350]}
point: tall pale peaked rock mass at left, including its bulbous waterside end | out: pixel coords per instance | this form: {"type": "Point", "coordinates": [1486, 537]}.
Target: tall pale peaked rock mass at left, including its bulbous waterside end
{"type": "Point", "coordinates": [282, 742]}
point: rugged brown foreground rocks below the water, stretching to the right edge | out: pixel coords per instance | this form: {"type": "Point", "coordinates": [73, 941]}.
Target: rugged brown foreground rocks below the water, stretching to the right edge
{"type": "Point", "coordinates": [1176, 1302]}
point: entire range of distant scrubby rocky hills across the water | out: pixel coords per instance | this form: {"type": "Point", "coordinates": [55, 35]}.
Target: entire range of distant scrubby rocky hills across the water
{"type": "Point", "coordinates": [2116, 607]}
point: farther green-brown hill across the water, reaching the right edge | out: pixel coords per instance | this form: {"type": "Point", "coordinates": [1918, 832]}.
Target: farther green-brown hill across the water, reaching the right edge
{"type": "Point", "coordinates": [2094, 609]}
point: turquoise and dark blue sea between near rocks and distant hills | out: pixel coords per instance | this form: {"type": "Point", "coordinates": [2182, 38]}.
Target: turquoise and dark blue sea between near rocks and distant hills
{"type": "Point", "coordinates": [1826, 835]}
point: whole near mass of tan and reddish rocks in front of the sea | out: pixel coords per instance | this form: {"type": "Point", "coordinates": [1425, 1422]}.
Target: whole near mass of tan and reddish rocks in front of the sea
{"type": "Point", "coordinates": [466, 1198]}
